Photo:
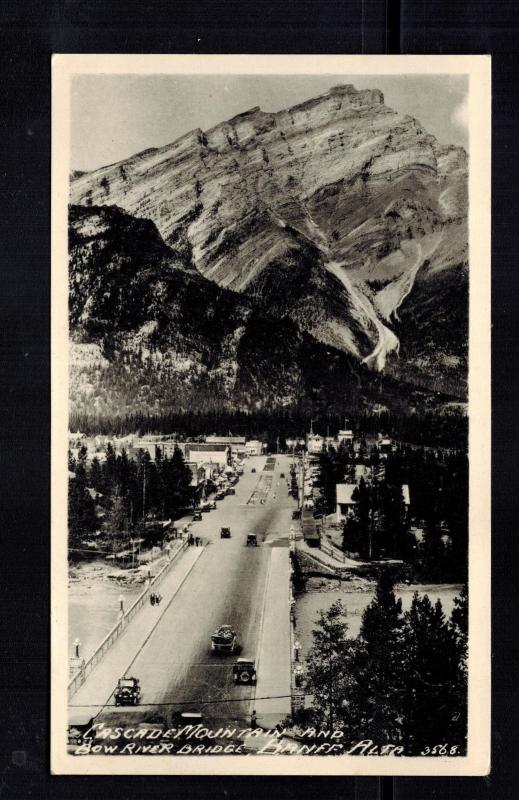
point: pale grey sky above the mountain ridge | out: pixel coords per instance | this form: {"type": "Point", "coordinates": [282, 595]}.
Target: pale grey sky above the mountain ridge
{"type": "Point", "coordinates": [116, 116]}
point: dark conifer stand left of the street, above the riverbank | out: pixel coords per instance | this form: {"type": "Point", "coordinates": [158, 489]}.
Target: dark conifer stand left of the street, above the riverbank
{"type": "Point", "coordinates": [120, 495]}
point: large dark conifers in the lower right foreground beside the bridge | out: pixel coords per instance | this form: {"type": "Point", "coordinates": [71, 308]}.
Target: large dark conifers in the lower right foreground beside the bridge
{"type": "Point", "coordinates": [402, 681]}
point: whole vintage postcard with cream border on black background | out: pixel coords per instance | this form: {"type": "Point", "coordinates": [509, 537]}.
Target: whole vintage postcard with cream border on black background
{"type": "Point", "coordinates": [271, 338]}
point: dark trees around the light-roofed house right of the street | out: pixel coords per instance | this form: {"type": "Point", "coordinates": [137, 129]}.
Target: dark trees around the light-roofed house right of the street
{"type": "Point", "coordinates": [380, 523]}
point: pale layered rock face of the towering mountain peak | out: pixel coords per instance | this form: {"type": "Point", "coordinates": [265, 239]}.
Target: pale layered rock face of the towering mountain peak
{"type": "Point", "coordinates": [327, 213]}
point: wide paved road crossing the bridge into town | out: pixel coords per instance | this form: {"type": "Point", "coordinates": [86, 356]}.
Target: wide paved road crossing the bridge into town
{"type": "Point", "coordinates": [226, 585]}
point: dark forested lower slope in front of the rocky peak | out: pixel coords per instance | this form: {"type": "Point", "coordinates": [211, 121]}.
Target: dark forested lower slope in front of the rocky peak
{"type": "Point", "coordinates": [149, 334]}
